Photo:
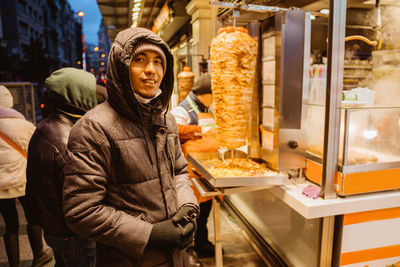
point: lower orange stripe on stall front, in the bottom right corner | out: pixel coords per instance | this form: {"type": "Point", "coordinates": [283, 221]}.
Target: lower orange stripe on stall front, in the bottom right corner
{"type": "Point", "coordinates": [370, 255]}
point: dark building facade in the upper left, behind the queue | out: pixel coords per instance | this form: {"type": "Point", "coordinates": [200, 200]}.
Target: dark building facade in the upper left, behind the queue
{"type": "Point", "coordinates": [44, 33]}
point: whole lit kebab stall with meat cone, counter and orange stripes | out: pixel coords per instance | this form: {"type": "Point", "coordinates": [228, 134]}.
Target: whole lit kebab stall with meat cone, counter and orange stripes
{"type": "Point", "coordinates": [297, 133]}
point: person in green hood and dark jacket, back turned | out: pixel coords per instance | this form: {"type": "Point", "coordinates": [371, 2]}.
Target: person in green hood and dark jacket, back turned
{"type": "Point", "coordinates": [71, 92]}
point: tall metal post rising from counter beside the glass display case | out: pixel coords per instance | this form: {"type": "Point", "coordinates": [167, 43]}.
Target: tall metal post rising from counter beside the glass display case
{"type": "Point", "coordinates": [337, 27]}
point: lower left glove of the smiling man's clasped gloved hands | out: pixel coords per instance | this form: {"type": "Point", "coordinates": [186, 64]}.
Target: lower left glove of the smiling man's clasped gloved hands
{"type": "Point", "coordinates": [167, 234]}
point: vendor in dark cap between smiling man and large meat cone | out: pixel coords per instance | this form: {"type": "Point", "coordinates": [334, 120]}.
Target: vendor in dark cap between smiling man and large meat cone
{"type": "Point", "coordinates": [196, 127]}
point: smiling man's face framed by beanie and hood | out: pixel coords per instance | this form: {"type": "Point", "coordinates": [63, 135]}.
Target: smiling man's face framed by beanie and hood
{"type": "Point", "coordinates": [146, 73]}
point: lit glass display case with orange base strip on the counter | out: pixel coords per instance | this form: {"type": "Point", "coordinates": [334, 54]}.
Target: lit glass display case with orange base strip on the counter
{"type": "Point", "coordinates": [369, 151]}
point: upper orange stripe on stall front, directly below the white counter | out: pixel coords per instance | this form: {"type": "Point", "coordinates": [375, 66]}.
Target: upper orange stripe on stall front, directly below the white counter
{"type": "Point", "coordinates": [369, 216]}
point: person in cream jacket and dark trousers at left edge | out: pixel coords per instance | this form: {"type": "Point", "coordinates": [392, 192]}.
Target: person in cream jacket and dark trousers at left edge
{"type": "Point", "coordinates": [15, 133]}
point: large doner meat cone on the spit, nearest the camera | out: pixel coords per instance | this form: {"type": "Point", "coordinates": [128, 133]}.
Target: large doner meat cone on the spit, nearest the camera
{"type": "Point", "coordinates": [233, 55]}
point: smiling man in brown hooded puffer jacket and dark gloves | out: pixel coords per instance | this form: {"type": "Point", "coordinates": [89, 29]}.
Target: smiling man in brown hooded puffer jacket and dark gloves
{"type": "Point", "coordinates": [126, 183]}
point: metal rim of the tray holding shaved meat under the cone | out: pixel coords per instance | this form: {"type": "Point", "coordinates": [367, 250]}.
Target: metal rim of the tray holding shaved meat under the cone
{"type": "Point", "coordinates": [197, 159]}
